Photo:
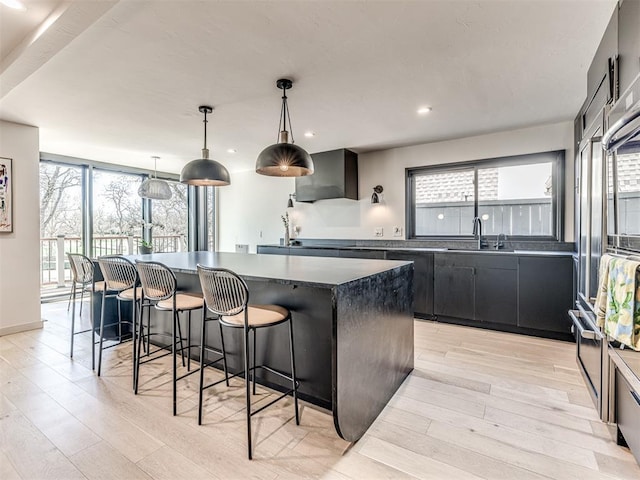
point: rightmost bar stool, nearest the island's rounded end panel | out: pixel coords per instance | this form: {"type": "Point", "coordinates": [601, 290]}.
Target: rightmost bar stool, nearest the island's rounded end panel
{"type": "Point", "coordinates": [227, 297]}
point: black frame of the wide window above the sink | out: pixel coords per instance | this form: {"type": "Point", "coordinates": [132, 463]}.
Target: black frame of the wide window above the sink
{"type": "Point", "coordinates": [556, 157]}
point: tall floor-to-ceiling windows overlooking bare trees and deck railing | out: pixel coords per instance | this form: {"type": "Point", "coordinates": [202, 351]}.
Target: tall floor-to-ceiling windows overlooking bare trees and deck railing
{"type": "Point", "coordinates": [94, 208]}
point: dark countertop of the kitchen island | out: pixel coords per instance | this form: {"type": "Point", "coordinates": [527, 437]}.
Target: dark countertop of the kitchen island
{"type": "Point", "coordinates": [311, 271]}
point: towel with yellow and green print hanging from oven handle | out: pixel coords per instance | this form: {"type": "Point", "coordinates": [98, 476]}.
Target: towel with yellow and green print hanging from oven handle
{"type": "Point", "coordinates": [622, 317]}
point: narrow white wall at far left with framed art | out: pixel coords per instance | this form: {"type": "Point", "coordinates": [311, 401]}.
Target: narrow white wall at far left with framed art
{"type": "Point", "coordinates": [19, 257]}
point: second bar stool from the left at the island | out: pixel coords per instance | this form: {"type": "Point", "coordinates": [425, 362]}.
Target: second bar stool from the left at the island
{"type": "Point", "coordinates": [121, 280]}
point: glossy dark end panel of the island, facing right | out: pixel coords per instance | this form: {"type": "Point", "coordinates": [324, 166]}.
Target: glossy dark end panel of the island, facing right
{"type": "Point", "coordinates": [373, 347]}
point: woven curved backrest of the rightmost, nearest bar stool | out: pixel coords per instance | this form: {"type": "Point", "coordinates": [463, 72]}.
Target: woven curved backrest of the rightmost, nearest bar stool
{"type": "Point", "coordinates": [225, 293]}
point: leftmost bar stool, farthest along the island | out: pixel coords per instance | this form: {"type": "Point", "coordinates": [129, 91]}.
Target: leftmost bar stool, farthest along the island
{"type": "Point", "coordinates": [82, 270]}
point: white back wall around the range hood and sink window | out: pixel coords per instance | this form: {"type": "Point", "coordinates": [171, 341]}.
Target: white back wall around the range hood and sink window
{"type": "Point", "coordinates": [254, 203]}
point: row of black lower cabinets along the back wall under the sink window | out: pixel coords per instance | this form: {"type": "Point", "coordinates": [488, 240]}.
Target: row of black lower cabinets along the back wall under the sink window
{"type": "Point", "coordinates": [519, 293]}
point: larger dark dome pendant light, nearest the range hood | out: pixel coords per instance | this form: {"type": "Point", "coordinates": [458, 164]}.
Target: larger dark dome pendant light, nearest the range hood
{"type": "Point", "coordinates": [284, 159]}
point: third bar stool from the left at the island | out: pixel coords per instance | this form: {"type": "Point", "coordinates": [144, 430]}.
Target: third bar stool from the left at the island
{"type": "Point", "coordinates": [159, 288]}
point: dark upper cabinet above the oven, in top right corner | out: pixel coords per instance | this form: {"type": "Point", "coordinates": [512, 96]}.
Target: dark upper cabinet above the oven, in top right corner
{"type": "Point", "coordinates": [628, 43]}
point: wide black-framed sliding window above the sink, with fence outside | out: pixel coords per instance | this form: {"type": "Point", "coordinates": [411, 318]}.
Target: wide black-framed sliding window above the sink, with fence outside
{"type": "Point", "coordinates": [518, 196]}
